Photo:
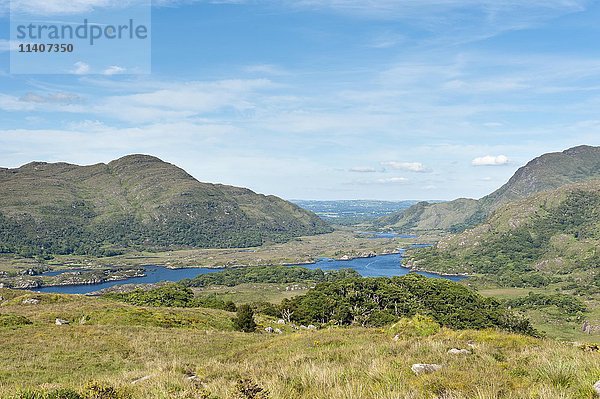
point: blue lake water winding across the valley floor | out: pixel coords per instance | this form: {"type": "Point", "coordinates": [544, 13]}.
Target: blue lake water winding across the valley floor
{"type": "Point", "coordinates": [378, 266]}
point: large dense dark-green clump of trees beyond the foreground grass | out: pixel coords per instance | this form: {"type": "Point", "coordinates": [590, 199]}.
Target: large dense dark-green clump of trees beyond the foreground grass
{"type": "Point", "coordinates": [378, 301]}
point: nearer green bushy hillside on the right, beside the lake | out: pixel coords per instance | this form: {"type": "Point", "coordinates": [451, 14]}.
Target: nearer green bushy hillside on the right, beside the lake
{"type": "Point", "coordinates": [548, 237]}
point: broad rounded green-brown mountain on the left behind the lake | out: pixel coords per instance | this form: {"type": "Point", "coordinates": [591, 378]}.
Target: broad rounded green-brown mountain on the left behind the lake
{"type": "Point", "coordinates": [135, 201]}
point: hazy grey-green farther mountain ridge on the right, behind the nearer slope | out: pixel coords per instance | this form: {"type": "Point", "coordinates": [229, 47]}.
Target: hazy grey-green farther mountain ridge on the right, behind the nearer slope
{"type": "Point", "coordinates": [547, 172]}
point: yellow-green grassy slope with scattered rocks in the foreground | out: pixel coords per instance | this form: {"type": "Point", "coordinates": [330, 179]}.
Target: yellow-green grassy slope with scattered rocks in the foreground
{"type": "Point", "coordinates": [191, 353]}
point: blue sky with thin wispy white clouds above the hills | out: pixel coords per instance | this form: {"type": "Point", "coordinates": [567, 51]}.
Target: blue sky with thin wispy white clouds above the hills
{"type": "Point", "coordinates": [324, 99]}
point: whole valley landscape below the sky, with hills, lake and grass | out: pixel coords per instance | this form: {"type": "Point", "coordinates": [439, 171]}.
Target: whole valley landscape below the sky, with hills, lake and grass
{"type": "Point", "coordinates": [516, 291]}
